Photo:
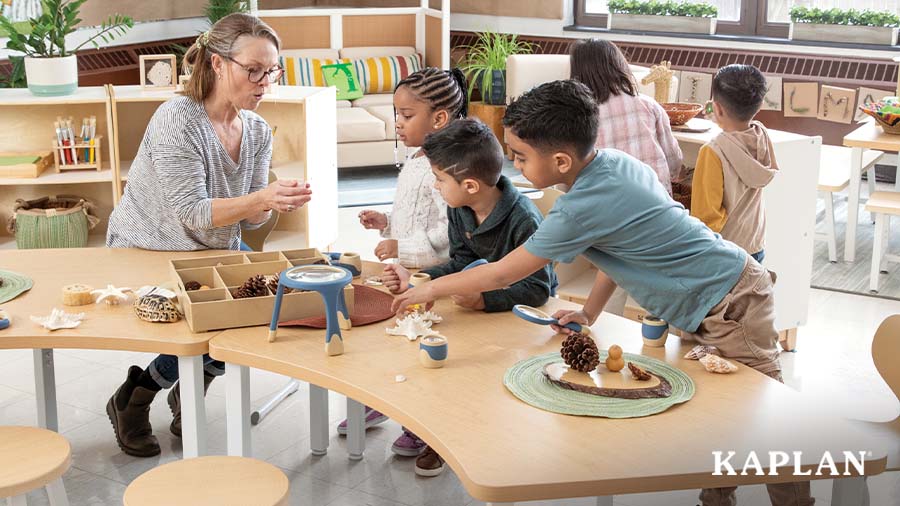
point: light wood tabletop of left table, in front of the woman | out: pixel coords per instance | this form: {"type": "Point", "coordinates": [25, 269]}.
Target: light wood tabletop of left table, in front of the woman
{"type": "Point", "coordinates": [108, 327]}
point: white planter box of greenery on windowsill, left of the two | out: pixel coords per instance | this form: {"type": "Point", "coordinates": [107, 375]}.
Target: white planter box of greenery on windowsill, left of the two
{"type": "Point", "coordinates": [665, 16]}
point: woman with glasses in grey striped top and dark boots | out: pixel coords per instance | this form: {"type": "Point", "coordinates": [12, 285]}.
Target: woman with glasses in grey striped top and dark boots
{"type": "Point", "coordinates": [200, 174]}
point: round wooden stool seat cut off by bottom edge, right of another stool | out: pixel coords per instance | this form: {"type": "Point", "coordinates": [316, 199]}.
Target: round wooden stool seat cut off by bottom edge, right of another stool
{"type": "Point", "coordinates": [214, 480]}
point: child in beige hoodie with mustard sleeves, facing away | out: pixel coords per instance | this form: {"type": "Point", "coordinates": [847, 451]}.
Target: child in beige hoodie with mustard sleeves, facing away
{"type": "Point", "coordinates": [734, 167]}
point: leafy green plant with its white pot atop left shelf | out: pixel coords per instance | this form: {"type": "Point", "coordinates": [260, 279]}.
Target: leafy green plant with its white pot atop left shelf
{"type": "Point", "coordinates": [50, 67]}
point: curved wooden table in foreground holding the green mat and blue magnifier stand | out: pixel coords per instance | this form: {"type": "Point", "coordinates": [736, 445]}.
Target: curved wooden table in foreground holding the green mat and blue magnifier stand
{"type": "Point", "coordinates": [505, 450]}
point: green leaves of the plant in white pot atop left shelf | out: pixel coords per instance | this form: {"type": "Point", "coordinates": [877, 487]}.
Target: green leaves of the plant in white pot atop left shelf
{"type": "Point", "coordinates": [48, 31]}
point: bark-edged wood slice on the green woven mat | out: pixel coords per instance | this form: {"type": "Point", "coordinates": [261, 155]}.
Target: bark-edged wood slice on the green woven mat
{"type": "Point", "coordinates": [597, 383]}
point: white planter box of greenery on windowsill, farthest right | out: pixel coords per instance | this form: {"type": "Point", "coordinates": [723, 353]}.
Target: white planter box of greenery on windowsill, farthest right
{"type": "Point", "coordinates": [865, 27]}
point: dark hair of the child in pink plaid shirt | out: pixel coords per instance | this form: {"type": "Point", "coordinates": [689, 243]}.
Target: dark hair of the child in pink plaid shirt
{"type": "Point", "coordinates": [601, 67]}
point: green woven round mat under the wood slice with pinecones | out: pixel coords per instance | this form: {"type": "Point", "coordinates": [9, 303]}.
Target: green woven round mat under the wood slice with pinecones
{"type": "Point", "coordinates": [527, 382]}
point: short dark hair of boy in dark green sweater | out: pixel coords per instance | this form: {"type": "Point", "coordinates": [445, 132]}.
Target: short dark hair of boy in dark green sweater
{"type": "Point", "coordinates": [465, 149]}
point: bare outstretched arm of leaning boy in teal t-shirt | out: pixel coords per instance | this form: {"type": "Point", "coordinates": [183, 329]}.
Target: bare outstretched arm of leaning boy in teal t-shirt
{"type": "Point", "coordinates": [517, 265]}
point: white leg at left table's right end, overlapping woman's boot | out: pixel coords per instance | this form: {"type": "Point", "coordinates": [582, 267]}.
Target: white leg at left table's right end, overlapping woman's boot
{"type": "Point", "coordinates": [193, 407]}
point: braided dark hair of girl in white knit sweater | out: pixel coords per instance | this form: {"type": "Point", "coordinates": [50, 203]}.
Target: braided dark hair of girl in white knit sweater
{"type": "Point", "coordinates": [440, 89]}
